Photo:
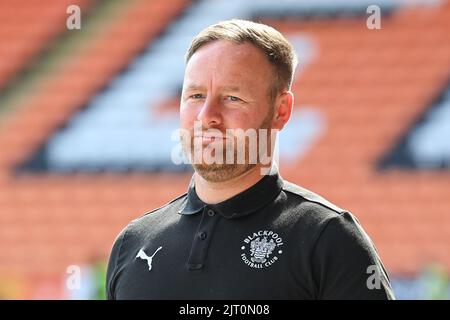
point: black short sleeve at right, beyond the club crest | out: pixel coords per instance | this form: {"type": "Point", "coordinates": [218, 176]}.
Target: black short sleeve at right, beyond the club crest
{"type": "Point", "coordinates": [346, 264]}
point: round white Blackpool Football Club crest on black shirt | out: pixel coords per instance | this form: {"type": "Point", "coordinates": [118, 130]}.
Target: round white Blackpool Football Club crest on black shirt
{"type": "Point", "coordinates": [261, 249]}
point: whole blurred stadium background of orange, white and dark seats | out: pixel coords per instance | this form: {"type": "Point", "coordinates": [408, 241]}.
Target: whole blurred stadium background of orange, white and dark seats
{"type": "Point", "coordinates": [86, 118]}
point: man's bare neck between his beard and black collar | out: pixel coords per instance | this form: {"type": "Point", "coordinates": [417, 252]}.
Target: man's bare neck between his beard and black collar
{"type": "Point", "coordinates": [215, 192]}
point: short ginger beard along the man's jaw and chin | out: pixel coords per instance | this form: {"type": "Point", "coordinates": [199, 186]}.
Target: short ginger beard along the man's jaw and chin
{"type": "Point", "coordinates": [220, 172]}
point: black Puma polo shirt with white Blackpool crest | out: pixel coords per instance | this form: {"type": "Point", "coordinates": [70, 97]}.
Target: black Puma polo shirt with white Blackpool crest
{"type": "Point", "coordinates": [275, 240]}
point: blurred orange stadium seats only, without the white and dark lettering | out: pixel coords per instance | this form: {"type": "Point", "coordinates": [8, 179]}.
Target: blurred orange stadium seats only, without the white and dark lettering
{"type": "Point", "coordinates": [360, 79]}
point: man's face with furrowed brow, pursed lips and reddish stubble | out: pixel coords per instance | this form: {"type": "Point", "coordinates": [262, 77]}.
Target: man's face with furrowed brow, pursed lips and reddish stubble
{"type": "Point", "coordinates": [226, 86]}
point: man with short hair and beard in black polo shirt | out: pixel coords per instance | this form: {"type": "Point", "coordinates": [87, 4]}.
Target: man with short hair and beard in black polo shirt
{"type": "Point", "coordinates": [242, 232]}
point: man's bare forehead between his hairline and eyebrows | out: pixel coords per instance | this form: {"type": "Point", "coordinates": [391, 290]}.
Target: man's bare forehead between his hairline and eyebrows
{"type": "Point", "coordinates": [225, 61]}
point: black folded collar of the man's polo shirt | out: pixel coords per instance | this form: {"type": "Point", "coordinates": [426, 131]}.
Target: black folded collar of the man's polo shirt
{"type": "Point", "coordinates": [244, 203]}
